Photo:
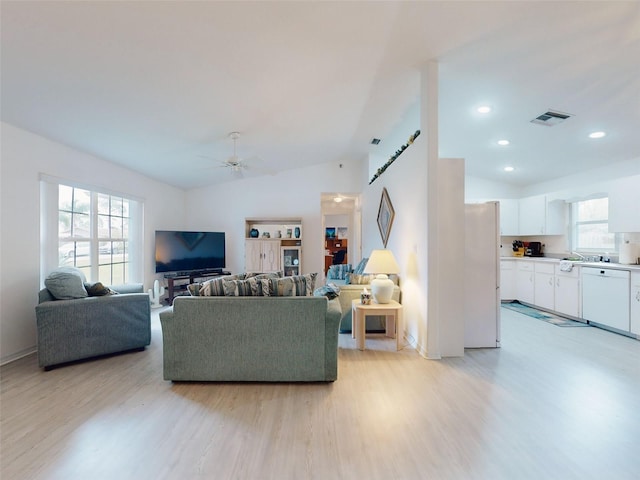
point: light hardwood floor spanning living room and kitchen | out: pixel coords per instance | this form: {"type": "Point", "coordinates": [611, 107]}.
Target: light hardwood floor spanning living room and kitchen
{"type": "Point", "coordinates": [552, 403]}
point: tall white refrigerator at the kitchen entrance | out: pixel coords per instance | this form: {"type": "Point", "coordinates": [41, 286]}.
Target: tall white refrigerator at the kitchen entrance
{"type": "Point", "coordinates": [482, 275]}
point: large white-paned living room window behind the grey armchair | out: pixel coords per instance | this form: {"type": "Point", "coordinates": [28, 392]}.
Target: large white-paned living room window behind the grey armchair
{"type": "Point", "coordinates": [97, 232]}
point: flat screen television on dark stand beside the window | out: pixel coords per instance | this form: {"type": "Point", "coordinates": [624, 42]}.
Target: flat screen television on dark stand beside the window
{"type": "Point", "coordinates": [182, 252]}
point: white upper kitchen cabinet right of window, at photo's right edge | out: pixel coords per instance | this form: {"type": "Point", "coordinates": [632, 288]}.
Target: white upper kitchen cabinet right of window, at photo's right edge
{"type": "Point", "coordinates": [624, 205]}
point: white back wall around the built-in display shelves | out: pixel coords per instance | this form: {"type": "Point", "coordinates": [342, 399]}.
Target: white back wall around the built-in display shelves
{"type": "Point", "coordinates": [294, 193]}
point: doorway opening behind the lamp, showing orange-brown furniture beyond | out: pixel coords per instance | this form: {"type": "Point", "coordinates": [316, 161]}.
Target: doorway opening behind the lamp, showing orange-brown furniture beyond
{"type": "Point", "coordinates": [341, 229]}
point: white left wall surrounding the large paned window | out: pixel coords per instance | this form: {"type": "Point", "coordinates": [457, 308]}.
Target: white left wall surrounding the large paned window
{"type": "Point", "coordinates": [24, 157]}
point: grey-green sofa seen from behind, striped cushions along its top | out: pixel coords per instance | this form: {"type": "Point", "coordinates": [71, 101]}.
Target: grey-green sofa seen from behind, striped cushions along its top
{"type": "Point", "coordinates": [251, 339]}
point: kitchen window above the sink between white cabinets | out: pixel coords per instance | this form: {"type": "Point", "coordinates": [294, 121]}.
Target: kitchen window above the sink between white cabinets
{"type": "Point", "coordinates": [590, 233]}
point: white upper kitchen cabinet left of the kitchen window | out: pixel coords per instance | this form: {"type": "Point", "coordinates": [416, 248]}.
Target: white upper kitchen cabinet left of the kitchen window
{"type": "Point", "coordinates": [537, 216]}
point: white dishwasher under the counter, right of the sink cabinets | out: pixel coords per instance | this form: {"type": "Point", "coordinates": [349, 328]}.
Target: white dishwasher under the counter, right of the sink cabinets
{"type": "Point", "coordinates": [605, 296]}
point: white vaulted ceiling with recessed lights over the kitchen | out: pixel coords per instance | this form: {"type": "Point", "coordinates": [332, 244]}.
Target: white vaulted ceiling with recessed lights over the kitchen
{"type": "Point", "coordinates": [158, 86]}
